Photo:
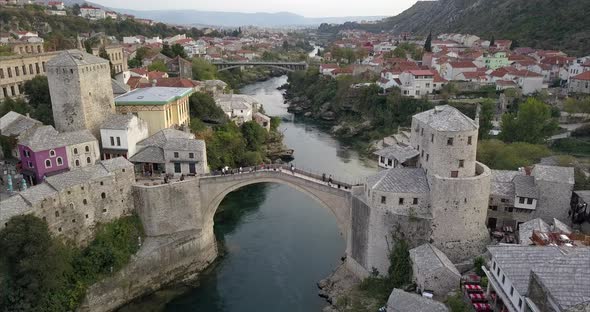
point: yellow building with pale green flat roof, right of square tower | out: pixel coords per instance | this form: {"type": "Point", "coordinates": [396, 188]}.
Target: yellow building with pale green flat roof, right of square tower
{"type": "Point", "coordinates": [160, 107]}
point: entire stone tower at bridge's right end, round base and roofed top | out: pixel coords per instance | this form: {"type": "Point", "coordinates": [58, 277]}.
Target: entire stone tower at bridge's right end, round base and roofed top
{"type": "Point", "coordinates": [459, 185]}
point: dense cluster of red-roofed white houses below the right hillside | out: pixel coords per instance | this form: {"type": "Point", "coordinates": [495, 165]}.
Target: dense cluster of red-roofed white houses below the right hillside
{"type": "Point", "coordinates": [466, 60]}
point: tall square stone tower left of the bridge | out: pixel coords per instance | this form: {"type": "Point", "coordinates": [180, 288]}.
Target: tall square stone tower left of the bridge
{"type": "Point", "coordinates": [81, 91]}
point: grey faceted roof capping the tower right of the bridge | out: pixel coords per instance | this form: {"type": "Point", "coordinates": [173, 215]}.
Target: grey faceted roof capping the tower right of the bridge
{"type": "Point", "coordinates": [447, 118]}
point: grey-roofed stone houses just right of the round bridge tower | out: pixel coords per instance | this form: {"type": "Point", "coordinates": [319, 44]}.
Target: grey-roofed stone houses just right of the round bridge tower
{"type": "Point", "coordinates": [519, 196]}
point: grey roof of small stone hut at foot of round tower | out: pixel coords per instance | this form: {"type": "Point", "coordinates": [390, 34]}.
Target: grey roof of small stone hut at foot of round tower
{"type": "Point", "coordinates": [429, 259]}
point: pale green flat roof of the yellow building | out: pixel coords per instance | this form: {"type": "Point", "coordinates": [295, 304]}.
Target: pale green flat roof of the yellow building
{"type": "Point", "coordinates": [152, 96]}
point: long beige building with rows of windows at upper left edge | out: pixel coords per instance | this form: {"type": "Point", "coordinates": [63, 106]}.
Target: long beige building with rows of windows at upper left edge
{"type": "Point", "coordinates": [18, 69]}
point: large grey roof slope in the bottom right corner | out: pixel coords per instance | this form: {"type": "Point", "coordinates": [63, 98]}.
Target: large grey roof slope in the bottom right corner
{"type": "Point", "coordinates": [567, 278]}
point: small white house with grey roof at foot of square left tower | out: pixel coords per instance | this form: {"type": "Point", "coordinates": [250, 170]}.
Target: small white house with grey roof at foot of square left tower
{"type": "Point", "coordinates": [119, 135]}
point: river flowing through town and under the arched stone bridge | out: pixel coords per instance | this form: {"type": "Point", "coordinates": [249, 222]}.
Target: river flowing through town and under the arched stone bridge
{"type": "Point", "coordinates": [279, 242]}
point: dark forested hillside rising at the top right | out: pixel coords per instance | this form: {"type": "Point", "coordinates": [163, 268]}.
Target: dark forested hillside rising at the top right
{"type": "Point", "coordinates": [546, 24]}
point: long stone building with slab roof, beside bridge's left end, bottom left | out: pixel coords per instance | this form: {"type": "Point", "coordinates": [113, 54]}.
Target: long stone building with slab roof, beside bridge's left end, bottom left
{"type": "Point", "coordinates": [75, 202]}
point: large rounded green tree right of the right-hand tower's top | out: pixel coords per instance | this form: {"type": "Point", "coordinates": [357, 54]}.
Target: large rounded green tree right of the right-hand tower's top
{"type": "Point", "coordinates": [532, 124]}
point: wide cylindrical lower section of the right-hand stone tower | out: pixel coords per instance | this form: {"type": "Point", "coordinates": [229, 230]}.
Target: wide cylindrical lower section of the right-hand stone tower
{"type": "Point", "coordinates": [459, 209]}
